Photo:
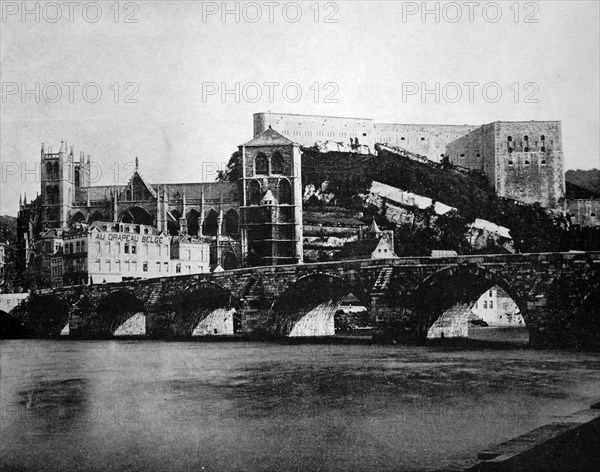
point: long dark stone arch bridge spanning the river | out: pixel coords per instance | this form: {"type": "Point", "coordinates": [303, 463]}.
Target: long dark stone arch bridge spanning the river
{"type": "Point", "coordinates": [558, 295]}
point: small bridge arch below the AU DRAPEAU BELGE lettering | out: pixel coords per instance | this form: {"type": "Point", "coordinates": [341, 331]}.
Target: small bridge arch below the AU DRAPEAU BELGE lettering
{"type": "Point", "coordinates": [113, 310]}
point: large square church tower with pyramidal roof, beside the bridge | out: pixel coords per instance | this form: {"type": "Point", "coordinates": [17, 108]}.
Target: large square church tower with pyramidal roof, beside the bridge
{"type": "Point", "coordinates": [272, 200]}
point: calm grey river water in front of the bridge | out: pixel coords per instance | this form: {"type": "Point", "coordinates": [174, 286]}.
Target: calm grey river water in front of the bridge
{"type": "Point", "coordinates": [241, 406]}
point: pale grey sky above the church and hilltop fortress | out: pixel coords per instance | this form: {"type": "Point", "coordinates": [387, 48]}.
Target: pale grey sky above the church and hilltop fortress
{"type": "Point", "coordinates": [120, 80]}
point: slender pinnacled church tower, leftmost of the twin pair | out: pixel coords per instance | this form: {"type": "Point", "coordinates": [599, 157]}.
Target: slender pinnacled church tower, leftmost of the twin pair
{"type": "Point", "coordinates": [57, 181]}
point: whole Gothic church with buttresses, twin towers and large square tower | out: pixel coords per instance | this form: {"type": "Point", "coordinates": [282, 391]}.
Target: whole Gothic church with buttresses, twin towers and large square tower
{"type": "Point", "coordinates": [255, 221]}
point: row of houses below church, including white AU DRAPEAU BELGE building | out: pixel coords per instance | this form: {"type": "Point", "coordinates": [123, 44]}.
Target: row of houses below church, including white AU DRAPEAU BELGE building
{"type": "Point", "coordinates": [107, 252]}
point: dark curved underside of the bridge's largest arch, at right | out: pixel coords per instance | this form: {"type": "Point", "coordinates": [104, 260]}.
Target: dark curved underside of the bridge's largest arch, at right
{"type": "Point", "coordinates": [456, 286]}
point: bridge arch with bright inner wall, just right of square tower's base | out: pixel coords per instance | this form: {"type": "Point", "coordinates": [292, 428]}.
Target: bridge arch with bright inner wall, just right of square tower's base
{"type": "Point", "coordinates": [308, 306]}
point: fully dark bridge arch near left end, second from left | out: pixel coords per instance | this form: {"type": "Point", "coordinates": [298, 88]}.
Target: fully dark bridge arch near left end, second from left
{"type": "Point", "coordinates": [45, 316]}
